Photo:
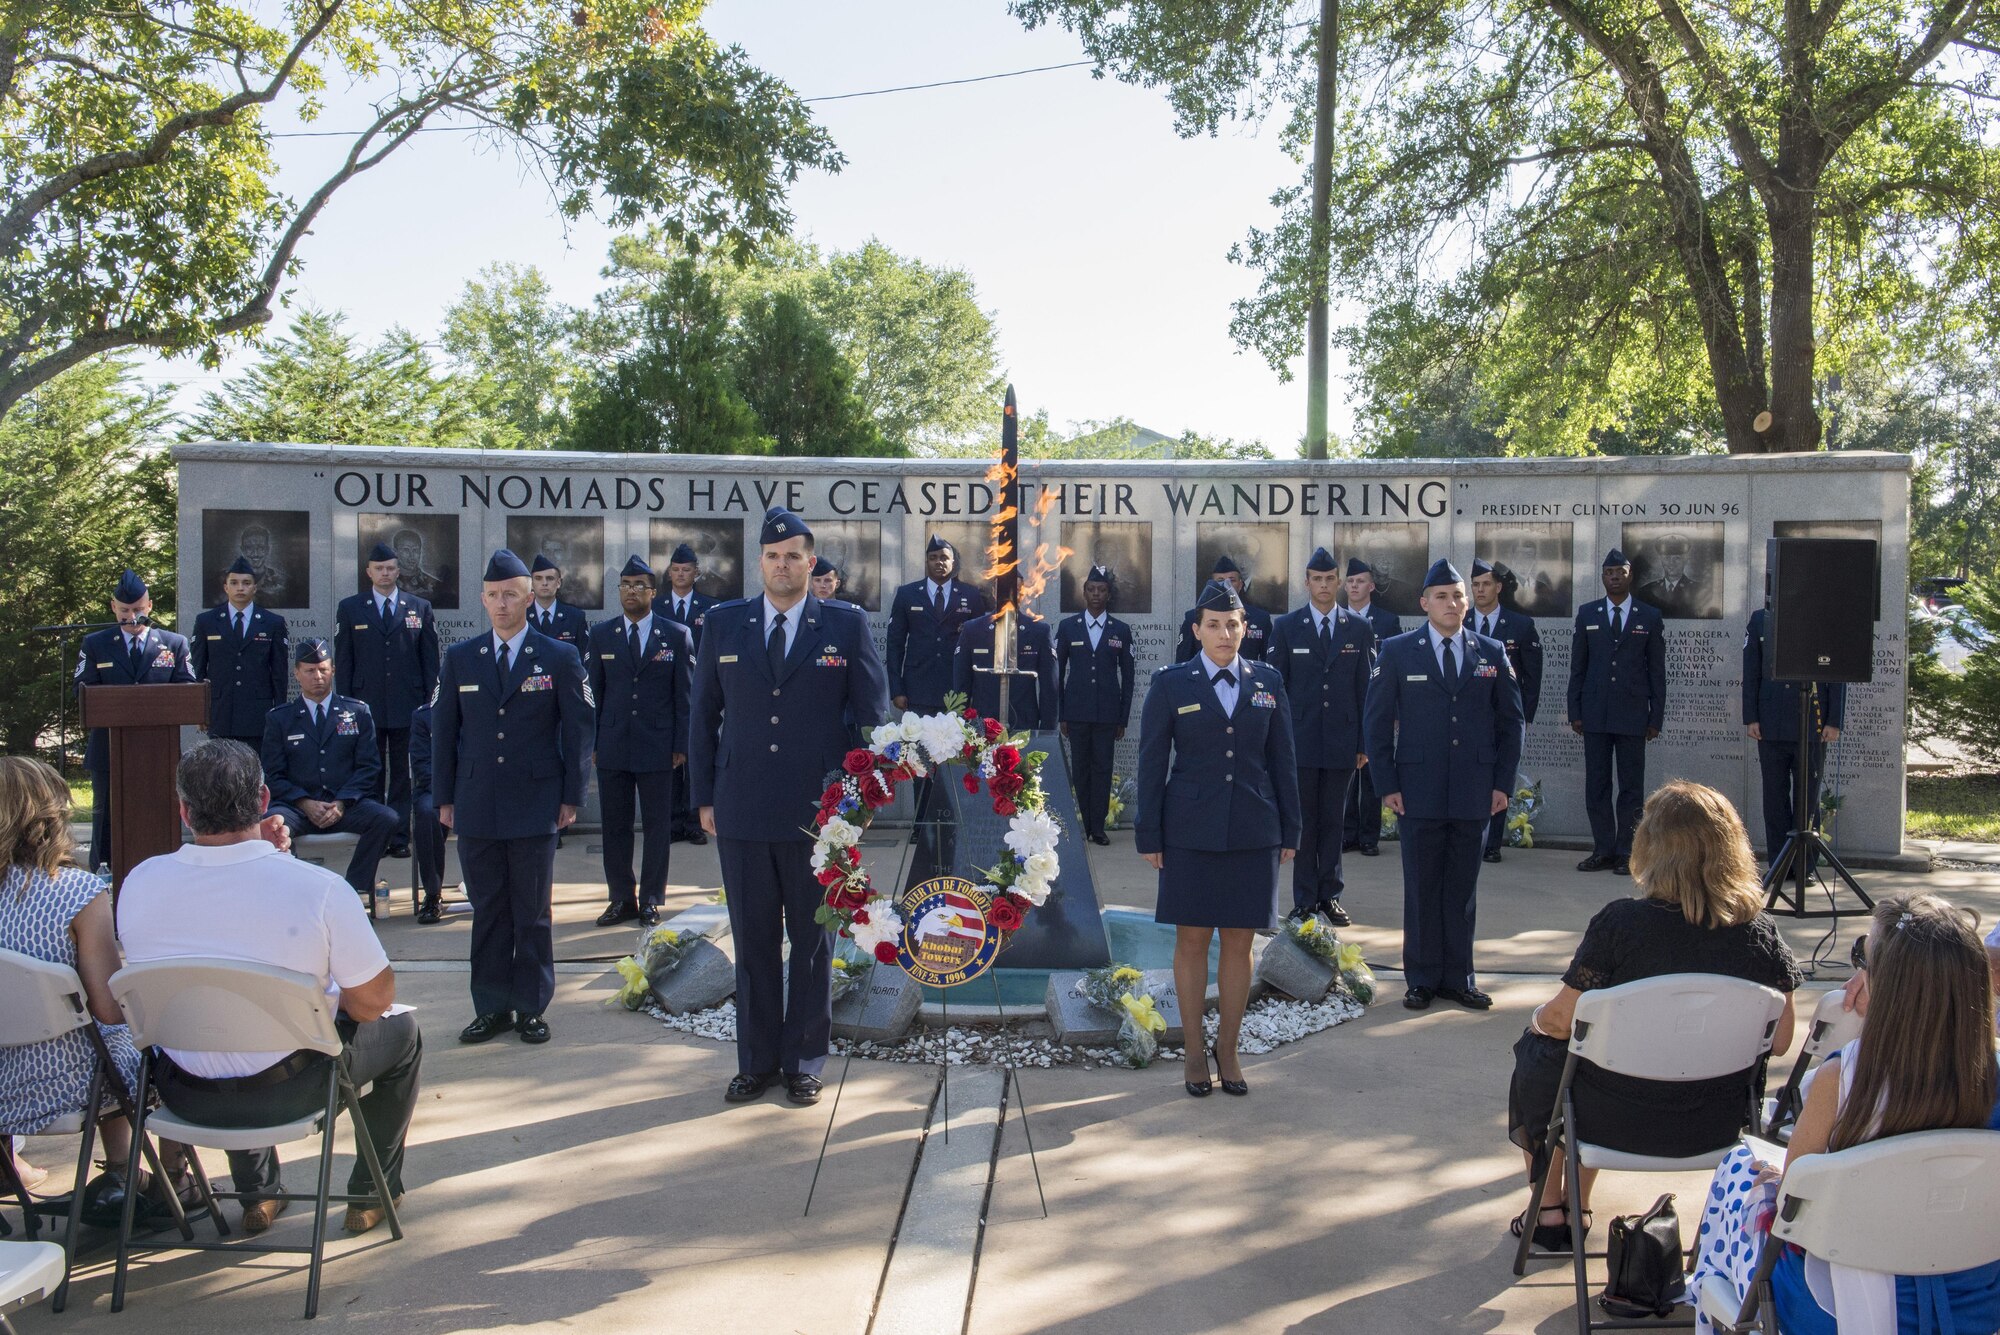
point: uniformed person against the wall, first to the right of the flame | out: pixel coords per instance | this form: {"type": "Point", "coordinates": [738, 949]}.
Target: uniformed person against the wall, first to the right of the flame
{"type": "Point", "coordinates": [1095, 674]}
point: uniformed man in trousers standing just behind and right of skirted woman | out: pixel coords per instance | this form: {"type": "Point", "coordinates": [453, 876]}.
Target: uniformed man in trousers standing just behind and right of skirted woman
{"type": "Point", "coordinates": [1325, 655]}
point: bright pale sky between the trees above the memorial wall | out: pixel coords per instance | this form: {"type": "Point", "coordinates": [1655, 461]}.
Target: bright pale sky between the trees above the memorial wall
{"type": "Point", "coordinates": [1097, 237]}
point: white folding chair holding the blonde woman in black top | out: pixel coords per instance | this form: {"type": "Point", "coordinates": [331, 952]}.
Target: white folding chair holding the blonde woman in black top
{"type": "Point", "coordinates": [1671, 1028]}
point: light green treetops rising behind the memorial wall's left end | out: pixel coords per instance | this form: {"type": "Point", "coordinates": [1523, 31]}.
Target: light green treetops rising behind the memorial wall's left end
{"type": "Point", "coordinates": [313, 385]}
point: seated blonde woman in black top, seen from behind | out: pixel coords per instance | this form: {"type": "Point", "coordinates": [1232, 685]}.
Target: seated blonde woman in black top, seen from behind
{"type": "Point", "coordinates": [1701, 910]}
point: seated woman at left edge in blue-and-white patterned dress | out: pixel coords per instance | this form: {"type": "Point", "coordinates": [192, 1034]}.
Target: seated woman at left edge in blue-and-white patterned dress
{"type": "Point", "coordinates": [55, 910]}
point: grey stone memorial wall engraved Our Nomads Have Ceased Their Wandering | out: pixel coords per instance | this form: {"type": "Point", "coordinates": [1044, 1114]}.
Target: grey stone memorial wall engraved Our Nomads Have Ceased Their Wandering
{"type": "Point", "coordinates": [1693, 527]}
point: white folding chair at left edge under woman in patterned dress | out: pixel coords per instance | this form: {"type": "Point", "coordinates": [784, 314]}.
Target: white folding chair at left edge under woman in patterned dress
{"type": "Point", "coordinates": [39, 1002]}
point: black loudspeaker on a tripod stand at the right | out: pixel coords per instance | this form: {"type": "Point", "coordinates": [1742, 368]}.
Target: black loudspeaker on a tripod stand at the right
{"type": "Point", "coordinates": [1819, 597]}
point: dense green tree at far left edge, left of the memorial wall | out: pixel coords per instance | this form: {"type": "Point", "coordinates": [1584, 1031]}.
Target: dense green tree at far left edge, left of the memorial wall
{"type": "Point", "coordinates": [89, 495]}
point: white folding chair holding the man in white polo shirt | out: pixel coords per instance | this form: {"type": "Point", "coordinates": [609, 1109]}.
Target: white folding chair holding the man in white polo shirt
{"type": "Point", "coordinates": [229, 1006]}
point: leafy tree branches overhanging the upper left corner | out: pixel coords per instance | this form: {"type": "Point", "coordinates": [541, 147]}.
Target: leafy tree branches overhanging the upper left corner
{"type": "Point", "coordinates": [141, 199]}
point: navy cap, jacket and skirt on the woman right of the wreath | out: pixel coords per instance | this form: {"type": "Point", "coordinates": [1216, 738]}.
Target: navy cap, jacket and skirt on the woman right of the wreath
{"type": "Point", "coordinates": [1217, 786]}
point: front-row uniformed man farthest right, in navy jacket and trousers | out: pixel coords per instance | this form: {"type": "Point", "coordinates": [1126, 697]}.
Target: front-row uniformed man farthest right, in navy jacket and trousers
{"type": "Point", "coordinates": [1445, 734]}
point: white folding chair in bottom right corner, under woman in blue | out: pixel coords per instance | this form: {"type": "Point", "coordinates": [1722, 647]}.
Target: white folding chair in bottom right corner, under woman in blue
{"type": "Point", "coordinates": [1923, 1204]}
